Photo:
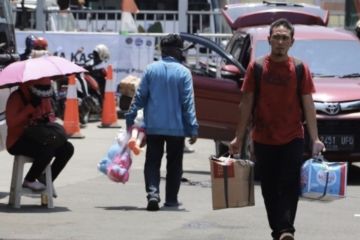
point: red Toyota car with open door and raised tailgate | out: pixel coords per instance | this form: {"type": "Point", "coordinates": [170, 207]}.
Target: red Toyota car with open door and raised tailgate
{"type": "Point", "coordinates": [333, 56]}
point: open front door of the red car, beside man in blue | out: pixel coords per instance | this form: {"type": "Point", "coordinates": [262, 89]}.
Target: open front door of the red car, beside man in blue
{"type": "Point", "coordinates": [217, 88]}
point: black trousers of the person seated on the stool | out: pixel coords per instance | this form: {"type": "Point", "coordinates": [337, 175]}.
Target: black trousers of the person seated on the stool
{"type": "Point", "coordinates": [42, 157]}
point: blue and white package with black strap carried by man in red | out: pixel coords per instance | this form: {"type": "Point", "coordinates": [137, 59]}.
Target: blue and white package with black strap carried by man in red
{"type": "Point", "coordinates": [322, 180]}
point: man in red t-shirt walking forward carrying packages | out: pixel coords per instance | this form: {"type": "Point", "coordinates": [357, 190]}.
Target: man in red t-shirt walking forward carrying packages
{"type": "Point", "coordinates": [277, 131]}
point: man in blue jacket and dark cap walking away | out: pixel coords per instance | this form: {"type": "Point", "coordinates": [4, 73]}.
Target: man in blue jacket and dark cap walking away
{"type": "Point", "coordinates": [167, 97]}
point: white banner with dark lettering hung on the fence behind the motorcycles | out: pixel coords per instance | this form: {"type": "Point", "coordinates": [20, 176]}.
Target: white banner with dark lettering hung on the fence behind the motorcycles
{"type": "Point", "coordinates": [128, 54]}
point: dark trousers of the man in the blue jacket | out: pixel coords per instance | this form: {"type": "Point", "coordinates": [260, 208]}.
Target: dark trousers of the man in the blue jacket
{"type": "Point", "coordinates": [174, 157]}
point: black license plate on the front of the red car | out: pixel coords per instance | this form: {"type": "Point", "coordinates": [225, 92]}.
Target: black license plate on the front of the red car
{"type": "Point", "coordinates": [338, 142]}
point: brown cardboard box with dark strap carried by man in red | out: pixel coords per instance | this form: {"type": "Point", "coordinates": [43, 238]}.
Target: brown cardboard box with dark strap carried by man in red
{"type": "Point", "coordinates": [232, 182]}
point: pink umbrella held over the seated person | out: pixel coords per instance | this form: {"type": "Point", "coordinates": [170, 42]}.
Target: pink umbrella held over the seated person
{"type": "Point", "coordinates": [37, 68]}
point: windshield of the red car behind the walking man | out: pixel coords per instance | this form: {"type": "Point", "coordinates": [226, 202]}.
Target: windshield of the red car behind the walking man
{"type": "Point", "coordinates": [324, 57]}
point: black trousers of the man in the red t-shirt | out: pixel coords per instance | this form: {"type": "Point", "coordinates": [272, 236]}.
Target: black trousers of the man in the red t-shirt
{"type": "Point", "coordinates": [279, 170]}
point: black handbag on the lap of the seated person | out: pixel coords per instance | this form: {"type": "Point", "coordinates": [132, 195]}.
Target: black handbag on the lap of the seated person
{"type": "Point", "coordinates": [49, 134]}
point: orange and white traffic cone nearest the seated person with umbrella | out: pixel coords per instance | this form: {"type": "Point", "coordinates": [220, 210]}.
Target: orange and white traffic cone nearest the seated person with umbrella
{"type": "Point", "coordinates": [71, 115]}
